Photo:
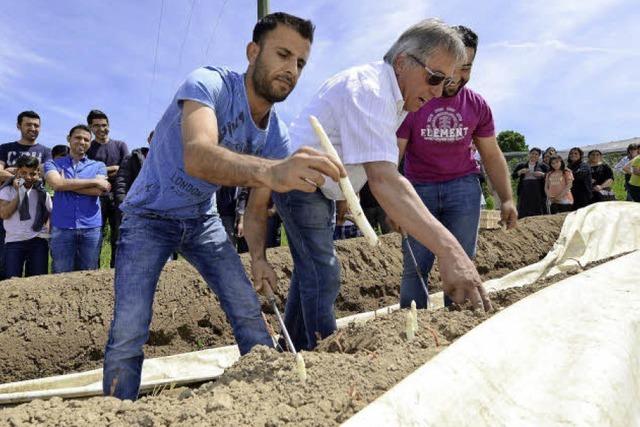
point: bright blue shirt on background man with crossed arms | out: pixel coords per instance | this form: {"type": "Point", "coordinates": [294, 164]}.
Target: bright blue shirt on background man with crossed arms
{"type": "Point", "coordinates": [73, 210]}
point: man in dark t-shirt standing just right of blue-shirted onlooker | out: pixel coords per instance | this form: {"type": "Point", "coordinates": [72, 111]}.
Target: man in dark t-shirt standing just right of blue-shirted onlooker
{"type": "Point", "coordinates": [111, 152]}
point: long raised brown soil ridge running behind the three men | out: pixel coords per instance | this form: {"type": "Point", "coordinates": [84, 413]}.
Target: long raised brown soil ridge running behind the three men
{"type": "Point", "coordinates": [58, 324]}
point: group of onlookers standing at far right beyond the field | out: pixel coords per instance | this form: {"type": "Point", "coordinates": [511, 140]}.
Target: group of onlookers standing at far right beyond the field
{"type": "Point", "coordinates": [547, 184]}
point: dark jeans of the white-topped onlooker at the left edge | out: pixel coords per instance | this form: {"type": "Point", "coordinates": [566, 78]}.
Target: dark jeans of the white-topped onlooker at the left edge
{"type": "Point", "coordinates": [30, 256]}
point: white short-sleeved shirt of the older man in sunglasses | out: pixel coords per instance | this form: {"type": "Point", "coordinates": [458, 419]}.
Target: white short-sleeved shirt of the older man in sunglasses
{"type": "Point", "coordinates": [360, 109]}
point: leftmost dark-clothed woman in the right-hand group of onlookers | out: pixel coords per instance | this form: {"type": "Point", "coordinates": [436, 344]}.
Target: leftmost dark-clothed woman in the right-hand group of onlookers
{"type": "Point", "coordinates": [531, 197]}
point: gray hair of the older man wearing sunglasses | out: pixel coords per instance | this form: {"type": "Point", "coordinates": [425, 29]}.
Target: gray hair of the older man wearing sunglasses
{"type": "Point", "coordinates": [424, 39]}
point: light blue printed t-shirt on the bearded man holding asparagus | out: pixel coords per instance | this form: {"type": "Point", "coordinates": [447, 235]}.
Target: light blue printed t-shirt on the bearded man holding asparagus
{"type": "Point", "coordinates": [163, 187]}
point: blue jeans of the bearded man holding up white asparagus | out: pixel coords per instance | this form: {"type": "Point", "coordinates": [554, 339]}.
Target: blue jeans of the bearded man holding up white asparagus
{"type": "Point", "coordinates": [144, 246]}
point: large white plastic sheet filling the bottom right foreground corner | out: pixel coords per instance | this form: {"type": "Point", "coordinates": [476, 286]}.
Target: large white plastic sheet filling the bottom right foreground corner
{"type": "Point", "coordinates": [567, 355]}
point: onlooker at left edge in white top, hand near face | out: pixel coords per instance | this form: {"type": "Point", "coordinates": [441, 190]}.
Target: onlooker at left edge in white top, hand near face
{"type": "Point", "coordinates": [25, 207]}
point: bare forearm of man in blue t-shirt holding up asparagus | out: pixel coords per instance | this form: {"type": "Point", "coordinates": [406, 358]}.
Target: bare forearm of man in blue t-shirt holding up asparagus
{"type": "Point", "coordinates": [220, 166]}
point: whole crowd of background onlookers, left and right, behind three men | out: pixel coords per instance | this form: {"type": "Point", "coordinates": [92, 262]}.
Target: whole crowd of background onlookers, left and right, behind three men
{"type": "Point", "coordinates": [92, 174]}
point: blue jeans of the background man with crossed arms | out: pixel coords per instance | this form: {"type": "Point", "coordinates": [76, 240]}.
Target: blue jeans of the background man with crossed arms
{"type": "Point", "coordinates": [75, 249]}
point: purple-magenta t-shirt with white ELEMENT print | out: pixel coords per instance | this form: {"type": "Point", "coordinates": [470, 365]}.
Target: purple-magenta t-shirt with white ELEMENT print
{"type": "Point", "coordinates": [440, 137]}
